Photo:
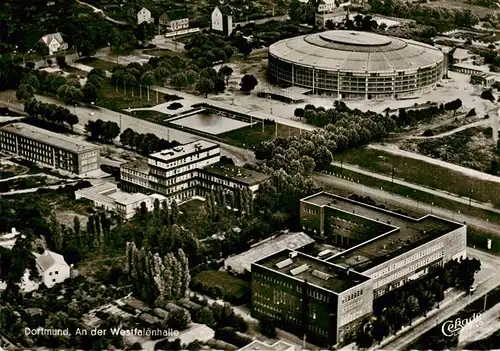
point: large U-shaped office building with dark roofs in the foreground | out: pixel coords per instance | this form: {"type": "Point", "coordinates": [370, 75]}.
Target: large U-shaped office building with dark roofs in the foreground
{"type": "Point", "coordinates": [381, 251]}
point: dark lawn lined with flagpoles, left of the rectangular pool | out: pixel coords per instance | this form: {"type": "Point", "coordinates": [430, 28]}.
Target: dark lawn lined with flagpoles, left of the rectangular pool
{"type": "Point", "coordinates": [114, 98]}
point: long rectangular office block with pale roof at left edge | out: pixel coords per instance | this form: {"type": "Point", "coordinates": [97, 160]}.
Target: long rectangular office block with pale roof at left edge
{"type": "Point", "coordinates": [49, 148]}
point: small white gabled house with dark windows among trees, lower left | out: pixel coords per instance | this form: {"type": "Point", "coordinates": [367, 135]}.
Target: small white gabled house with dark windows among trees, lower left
{"type": "Point", "coordinates": [53, 268]}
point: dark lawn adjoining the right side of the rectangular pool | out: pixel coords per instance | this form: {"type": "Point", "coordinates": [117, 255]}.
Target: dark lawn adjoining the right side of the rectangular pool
{"type": "Point", "coordinates": [251, 136]}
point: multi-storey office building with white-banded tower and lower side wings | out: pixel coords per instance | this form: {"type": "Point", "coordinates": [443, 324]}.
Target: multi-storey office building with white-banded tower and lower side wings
{"type": "Point", "coordinates": [187, 170]}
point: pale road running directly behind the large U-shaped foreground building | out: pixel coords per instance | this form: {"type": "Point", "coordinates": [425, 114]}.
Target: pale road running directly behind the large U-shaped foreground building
{"type": "Point", "coordinates": [390, 199]}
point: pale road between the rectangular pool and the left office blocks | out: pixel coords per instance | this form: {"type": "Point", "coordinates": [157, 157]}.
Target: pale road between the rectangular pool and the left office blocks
{"type": "Point", "coordinates": [241, 156]}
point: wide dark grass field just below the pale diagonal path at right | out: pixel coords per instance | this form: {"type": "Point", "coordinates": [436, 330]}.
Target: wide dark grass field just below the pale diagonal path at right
{"type": "Point", "coordinates": [423, 173]}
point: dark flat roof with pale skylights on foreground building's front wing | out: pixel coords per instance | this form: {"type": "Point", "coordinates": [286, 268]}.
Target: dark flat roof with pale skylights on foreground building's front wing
{"type": "Point", "coordinates": [317, 272]}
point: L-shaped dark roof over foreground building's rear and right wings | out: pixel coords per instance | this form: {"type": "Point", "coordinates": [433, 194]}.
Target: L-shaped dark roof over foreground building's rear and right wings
{"type": "Point", "coordinates": [408, 233]}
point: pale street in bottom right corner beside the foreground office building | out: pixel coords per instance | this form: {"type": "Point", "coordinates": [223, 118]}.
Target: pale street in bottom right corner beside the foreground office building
{"type": "Point", "coordinates": [487, 279]}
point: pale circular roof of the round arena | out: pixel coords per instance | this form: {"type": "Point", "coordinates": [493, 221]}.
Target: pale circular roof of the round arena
{"type": "Point", "coordinates": [355, 51]}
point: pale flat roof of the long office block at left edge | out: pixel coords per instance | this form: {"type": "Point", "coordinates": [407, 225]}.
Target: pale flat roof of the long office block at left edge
{"type": "Point", "coordinates": [50, 138]}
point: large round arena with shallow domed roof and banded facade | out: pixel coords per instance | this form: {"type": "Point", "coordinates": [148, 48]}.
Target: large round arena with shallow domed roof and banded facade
{"type": "Point", "coordinates": [353, 64]}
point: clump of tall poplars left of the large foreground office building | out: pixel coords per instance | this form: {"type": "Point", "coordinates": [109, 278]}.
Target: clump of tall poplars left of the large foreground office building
{"type": "Point", "coordinates": [156, 279]}
